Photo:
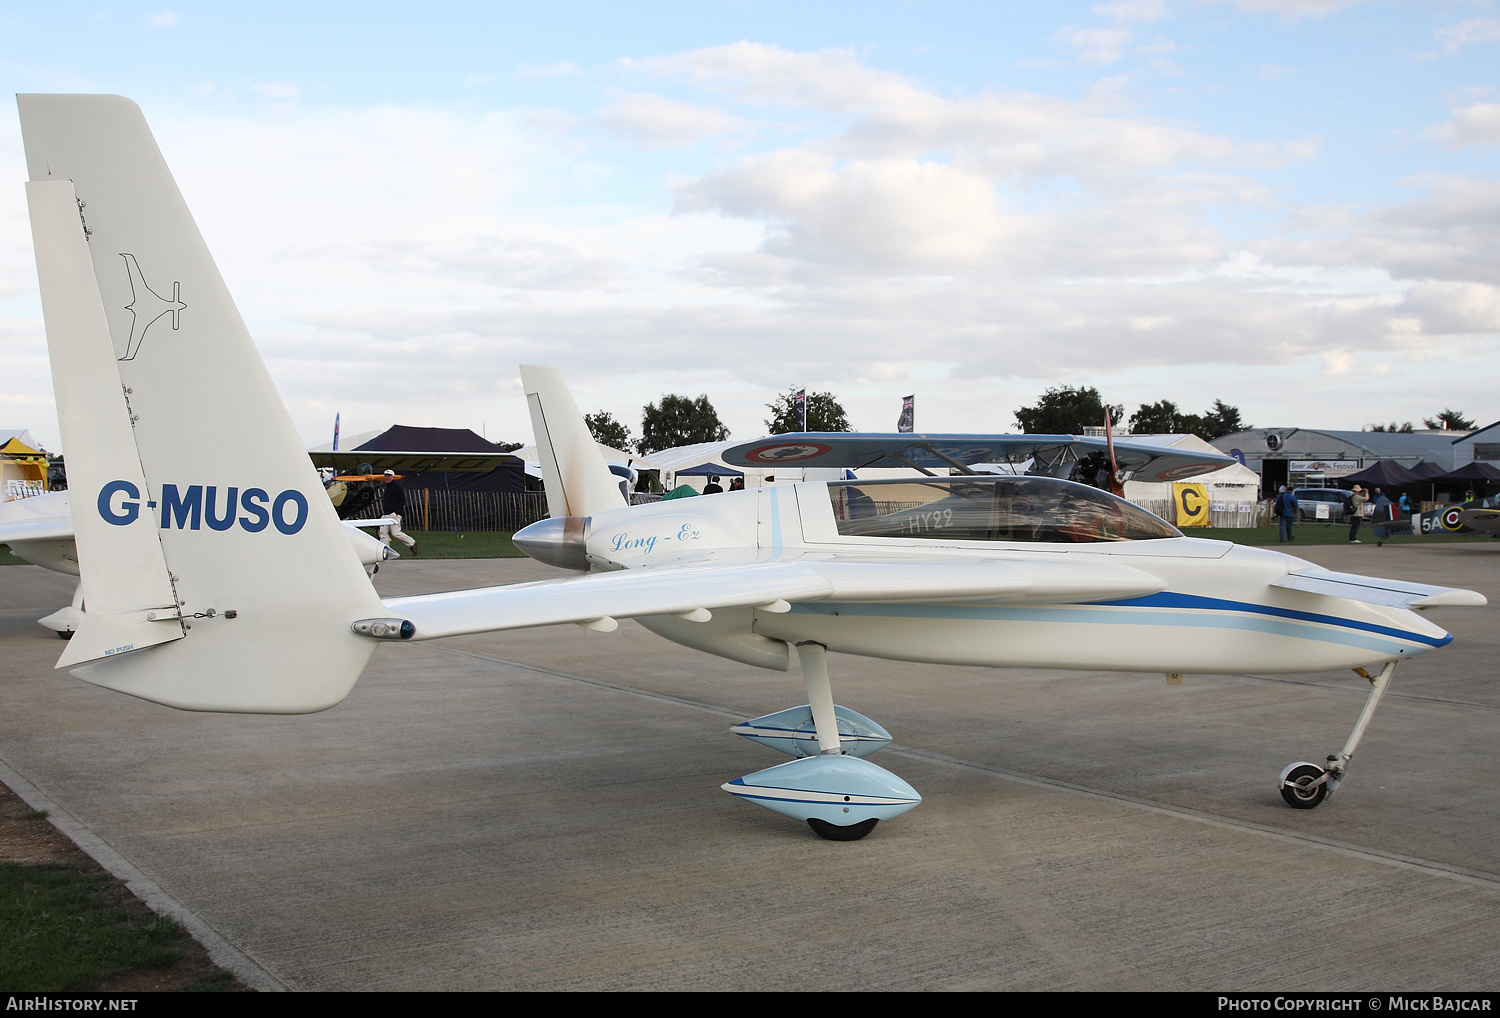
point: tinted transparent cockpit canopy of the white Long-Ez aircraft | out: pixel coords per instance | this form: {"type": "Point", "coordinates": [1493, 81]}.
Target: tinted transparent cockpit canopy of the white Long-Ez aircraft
{"type": "Point", "coordinates": [991, 509]}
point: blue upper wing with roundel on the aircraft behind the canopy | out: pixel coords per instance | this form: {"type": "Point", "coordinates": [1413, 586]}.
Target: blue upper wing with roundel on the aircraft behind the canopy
{"type": "Point", "coordinates": [929, 452]}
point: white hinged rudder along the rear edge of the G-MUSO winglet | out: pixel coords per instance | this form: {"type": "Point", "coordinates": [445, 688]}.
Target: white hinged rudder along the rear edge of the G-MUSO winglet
{"type": "Point", "coordinates": [127, 588]}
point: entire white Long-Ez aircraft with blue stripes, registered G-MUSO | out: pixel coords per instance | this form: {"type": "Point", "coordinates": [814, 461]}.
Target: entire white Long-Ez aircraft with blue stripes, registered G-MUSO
{"type": "Point", "coordinates": [218, 578]}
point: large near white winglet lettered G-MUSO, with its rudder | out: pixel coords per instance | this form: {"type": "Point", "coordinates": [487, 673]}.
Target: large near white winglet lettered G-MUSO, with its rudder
{"type": "Point", "coordinates": [260, 567]}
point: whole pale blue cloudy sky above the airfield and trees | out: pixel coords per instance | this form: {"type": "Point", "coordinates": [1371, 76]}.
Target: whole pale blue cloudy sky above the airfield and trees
{"type": "Point", "coordinates": [1289, 206]}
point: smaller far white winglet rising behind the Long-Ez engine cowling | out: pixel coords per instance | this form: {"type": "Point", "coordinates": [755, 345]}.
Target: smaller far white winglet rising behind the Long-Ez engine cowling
{"type": "Point", "coordinates": [574, 472]}
